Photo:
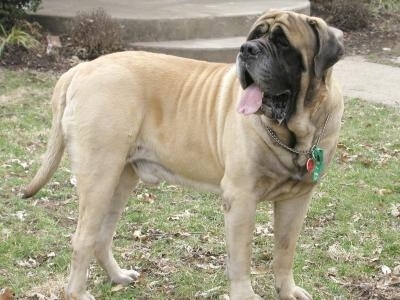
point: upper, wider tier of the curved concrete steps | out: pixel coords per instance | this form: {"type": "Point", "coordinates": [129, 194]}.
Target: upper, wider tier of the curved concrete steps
{"type": "Point", "coordinates": [163, 20]}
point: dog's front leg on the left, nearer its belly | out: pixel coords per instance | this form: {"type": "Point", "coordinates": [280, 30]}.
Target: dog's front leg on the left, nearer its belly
{"type": "Point", "coordinates": [239, 226]}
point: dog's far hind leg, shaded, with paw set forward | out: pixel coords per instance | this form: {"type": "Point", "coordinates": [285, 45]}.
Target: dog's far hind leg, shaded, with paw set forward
{"type": "Point", "coordinates": [103, 244]}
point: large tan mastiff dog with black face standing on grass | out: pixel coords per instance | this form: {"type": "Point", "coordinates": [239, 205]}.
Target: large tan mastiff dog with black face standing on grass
{"type": "Point", "coordinates": [248, 132]}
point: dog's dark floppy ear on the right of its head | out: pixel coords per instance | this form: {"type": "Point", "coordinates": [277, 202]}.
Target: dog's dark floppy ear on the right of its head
{"type": "Point", "coordinates": [329, 46]}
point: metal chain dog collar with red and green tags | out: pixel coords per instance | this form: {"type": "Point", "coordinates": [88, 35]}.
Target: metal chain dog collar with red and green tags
{"type": "Point", "coordinates": [315, 161]}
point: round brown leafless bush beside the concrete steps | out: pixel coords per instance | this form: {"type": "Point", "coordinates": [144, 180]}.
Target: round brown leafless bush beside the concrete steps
{"type": "Point", "coordinates": [94, 34]}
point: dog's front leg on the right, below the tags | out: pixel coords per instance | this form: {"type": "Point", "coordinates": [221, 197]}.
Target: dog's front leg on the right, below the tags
{"type": "Point", "coordinates": [288, 220]}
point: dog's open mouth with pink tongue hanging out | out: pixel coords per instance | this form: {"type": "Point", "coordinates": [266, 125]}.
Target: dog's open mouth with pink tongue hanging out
{"type": "Point", "coordinates": [253, 99]}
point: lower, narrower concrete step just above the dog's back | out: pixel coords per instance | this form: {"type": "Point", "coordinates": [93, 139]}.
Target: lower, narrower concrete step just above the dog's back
{"type": "Point", "coordinates": [217, 50]}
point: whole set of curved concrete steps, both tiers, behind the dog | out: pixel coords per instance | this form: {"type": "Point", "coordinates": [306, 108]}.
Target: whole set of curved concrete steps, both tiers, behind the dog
{"type": "Point", "coordinates": [210, 30]}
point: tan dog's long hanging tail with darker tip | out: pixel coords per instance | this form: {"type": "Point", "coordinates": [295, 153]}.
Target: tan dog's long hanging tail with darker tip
{"type": "Point", "coordinates": [55, 145]}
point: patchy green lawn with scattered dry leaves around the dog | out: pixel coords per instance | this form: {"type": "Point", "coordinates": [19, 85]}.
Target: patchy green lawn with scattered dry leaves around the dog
{"type": "Point", "coordinates": [174, 236]}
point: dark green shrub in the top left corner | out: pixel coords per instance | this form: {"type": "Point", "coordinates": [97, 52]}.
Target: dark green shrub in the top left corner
{"type": "Point", "coordinates": [11, 11]}
